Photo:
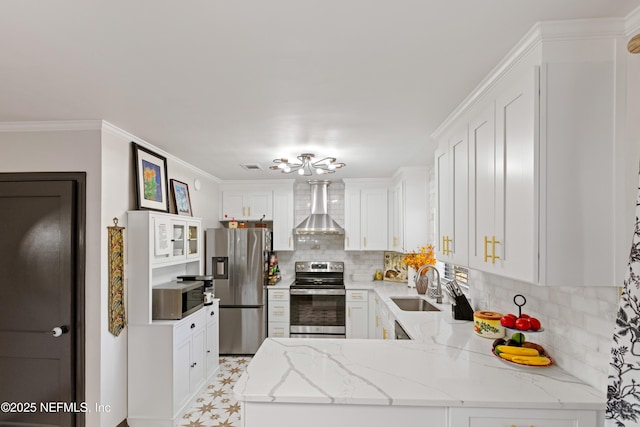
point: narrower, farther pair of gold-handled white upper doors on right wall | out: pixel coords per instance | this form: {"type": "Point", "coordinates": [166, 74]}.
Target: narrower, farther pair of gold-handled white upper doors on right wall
{"type": "Point", "coordinates": [452, 191]}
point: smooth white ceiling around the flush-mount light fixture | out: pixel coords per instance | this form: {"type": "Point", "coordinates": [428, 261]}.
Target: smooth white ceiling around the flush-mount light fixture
{"type": "Point", "coordinates": [220, 83]}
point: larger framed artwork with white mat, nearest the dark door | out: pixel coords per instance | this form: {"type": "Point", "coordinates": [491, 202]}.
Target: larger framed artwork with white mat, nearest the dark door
{"type": "Point", "coordinates": [151, 179]}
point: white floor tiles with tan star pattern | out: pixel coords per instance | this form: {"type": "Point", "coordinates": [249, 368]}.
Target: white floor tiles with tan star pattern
{"type": "Point", "coordinates": [216, 407]}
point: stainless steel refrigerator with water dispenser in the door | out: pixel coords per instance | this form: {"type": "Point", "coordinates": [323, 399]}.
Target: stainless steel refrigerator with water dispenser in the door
{"type": "Point", "coordinates": [238, 260]}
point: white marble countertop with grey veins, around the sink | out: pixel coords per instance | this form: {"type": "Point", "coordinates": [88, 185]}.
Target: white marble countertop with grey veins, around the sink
{"type": "Point", "coordinates": [445, 364]}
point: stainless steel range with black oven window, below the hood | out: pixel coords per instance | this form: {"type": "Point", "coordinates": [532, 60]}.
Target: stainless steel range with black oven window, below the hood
{"type": "Point", "coordinates": [317, 302]}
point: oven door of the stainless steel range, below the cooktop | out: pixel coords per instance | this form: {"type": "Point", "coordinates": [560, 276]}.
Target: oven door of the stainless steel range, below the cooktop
{"type": "Point", "coordinates": [317, 313]}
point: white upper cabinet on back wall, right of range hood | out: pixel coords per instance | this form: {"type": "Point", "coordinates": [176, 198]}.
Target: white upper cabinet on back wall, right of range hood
{"type": "Point", "coordinates": [366, 211]}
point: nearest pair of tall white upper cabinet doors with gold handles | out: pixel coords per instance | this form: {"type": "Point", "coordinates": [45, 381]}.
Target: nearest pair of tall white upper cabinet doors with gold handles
{"type": "Point", "coordinates": [502, 169]}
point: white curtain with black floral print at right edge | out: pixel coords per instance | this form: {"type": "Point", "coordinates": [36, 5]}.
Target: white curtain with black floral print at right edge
{"type": "Point", "coordinates": [623, 391]}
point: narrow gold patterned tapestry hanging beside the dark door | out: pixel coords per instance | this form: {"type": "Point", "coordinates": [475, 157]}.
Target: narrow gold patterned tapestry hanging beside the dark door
{"type": "Point", "coordinates": [117, 318]}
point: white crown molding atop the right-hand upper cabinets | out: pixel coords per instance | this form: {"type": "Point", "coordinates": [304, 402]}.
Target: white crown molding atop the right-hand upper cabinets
{"type": "Point", "coordinates": [578, 29]}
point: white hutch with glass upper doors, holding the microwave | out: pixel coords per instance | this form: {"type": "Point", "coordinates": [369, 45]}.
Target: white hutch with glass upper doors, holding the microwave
{"type": "Point", "coordinates": [166, 358]}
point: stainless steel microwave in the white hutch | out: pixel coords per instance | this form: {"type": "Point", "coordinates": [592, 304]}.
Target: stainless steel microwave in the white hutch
{"type": "Point", "coordinates": [176, 300]}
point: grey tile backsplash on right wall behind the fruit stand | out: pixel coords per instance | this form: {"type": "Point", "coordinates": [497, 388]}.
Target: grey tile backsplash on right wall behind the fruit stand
{"type": "Point", "coordinates": [578, 322]}
